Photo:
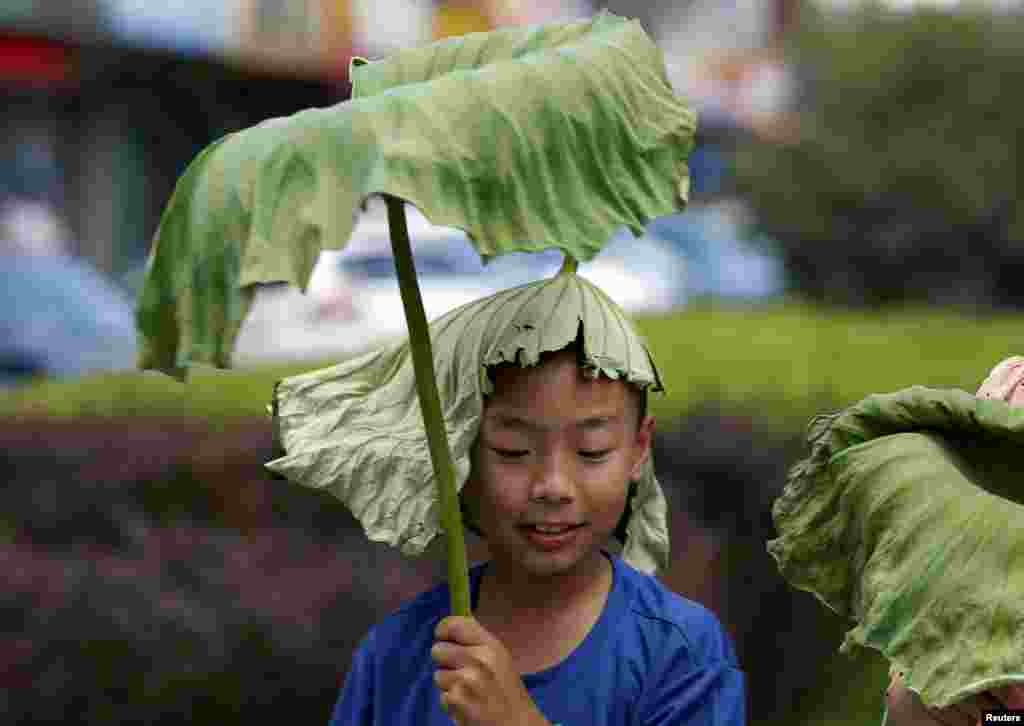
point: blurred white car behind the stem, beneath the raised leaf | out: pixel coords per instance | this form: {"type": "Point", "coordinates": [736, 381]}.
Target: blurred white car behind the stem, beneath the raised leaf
{"type": "Point", "coordinates": [354, 303]}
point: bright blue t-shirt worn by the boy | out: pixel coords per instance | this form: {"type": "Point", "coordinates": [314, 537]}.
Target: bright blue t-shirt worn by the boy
{"type": "Point", "coordinates": [653, 659]}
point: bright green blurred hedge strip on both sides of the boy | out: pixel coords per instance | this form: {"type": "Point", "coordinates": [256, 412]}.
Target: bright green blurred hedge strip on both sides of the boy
{"type": "Point", "coordinates": [791, 360]}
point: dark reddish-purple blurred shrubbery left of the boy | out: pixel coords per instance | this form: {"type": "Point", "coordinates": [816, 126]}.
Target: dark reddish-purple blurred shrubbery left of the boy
{"type": "Point", "coordinates": [154, 573]}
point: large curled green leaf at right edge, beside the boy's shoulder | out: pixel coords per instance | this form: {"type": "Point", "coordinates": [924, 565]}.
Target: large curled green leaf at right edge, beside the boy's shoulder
{"type": "Point", "coordinates": [909, 518]}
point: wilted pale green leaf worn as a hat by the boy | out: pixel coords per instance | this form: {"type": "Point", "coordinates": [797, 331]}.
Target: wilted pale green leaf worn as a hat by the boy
{"type": "Point", "coordinates": [356, 430]}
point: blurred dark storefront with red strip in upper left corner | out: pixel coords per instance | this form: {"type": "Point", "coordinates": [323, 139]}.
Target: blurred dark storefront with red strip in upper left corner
{"type": "Point", "coordinates": [106, 102]}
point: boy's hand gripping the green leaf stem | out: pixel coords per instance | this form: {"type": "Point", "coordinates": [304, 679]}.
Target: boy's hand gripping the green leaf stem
{"type": "Point", "coordinates": [479, 686]}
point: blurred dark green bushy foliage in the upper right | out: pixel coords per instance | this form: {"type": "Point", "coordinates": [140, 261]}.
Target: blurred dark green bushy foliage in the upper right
{"type": "Point", "coordinates": [905, 185]}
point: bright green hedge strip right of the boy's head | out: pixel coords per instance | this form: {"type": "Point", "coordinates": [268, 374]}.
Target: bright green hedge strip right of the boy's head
{"type": "Point", "coordinates": [801, 356]}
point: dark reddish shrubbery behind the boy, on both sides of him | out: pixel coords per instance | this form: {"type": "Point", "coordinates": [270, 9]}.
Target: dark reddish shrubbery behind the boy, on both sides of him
{"type": "Point", "coordinates": [156, 573]}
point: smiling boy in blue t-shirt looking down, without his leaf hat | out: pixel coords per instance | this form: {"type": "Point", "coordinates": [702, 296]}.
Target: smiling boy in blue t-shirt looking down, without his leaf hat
{"type": "Point", "coordinates": [564, 632]}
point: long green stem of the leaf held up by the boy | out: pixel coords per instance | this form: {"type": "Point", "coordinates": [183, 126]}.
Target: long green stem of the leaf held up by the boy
{"type": "Point", "coordinates": [426, 388]}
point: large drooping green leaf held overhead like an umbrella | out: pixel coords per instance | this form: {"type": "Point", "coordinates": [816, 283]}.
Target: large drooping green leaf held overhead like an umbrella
{"type": "Point", "coordinates": [527, 139]}
